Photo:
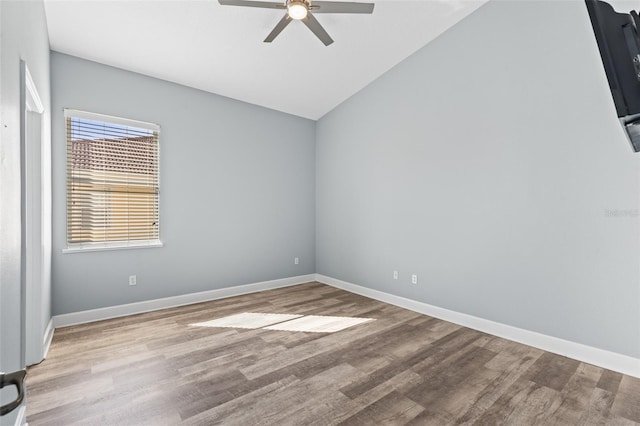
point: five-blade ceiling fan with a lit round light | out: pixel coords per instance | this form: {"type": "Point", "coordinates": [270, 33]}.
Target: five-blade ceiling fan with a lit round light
{"type": "Point", "coordinates": [303, 10]}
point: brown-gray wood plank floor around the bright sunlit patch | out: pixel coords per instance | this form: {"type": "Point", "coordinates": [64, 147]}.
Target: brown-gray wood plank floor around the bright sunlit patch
{"type": "Point", "coordinates": [402, 368]}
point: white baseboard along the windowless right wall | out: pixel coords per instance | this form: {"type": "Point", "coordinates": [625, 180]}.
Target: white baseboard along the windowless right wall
{"type": "Point", "coordinates": [599, 357]}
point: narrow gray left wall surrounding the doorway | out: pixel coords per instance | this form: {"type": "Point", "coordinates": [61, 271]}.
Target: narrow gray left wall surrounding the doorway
{"type": "Point", "coordinates": [24, 36]}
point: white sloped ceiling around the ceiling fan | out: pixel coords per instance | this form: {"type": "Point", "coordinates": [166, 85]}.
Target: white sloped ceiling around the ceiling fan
{"type": "Point", "coordinates": [219, 49]}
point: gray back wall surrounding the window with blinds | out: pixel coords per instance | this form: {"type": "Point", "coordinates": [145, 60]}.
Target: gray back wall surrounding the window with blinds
{"type": "Point", "coordinates": [237, 191]}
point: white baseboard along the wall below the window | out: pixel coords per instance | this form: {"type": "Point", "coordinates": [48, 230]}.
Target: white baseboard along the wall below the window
{"type": "Point", "coordinates": [99, 314]}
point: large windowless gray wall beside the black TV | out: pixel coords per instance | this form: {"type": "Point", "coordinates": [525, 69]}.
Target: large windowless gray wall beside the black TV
{"type": "Point", "coordinates": [491, 164]}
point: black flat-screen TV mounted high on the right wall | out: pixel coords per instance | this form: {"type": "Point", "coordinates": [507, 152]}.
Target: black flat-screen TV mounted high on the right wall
{"type": "Point", "coordinates": [619, 44]}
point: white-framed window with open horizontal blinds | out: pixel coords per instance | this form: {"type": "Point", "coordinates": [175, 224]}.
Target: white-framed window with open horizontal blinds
{"type": "Point", "coordinates": [112, 182]}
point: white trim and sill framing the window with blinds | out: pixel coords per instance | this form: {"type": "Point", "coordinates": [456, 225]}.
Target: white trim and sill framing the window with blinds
{"type": "Point", "coordinates": [114, 245]}
